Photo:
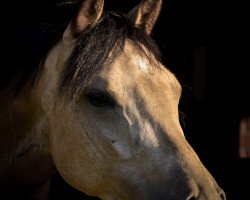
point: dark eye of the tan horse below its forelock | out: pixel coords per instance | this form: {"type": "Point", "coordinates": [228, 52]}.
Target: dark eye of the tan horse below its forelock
{"type": "Point", "coordinates": [100, 99]}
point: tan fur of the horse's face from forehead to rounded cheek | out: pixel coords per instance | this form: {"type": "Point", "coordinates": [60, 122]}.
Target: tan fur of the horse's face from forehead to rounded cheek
{"type": "Point", "coordinates": [120, 148]}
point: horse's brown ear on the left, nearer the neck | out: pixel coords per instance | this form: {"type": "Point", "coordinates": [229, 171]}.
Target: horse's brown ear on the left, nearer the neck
{"type": "Point", "coordinates": [89, 13]}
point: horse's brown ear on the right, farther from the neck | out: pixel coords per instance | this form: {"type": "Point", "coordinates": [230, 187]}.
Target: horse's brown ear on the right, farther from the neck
{"type": "Point", "coordinates": [145, 14]}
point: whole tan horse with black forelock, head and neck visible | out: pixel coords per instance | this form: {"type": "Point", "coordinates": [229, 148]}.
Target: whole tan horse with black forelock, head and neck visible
{"type": "Point", "coordinates": [102, 110]}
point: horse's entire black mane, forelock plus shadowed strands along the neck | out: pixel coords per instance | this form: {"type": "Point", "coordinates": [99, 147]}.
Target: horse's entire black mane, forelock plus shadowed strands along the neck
{"type": "Point", "coordinates": [97, 47]}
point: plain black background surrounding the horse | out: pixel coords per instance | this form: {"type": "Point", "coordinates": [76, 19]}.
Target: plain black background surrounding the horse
{"type": "Point", "coordinates": [204, 44]}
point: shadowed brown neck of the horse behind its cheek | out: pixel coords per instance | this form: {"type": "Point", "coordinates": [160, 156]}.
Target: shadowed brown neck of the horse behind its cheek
{"type": "Point", "coordinates": [24, 118]}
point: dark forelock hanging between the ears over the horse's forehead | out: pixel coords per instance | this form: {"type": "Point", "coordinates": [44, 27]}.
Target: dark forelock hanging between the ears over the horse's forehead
{"type": "Point", "coordinates": [94, 47]}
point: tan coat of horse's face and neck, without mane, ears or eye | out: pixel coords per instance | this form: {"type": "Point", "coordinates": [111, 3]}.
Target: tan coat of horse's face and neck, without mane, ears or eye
{"type": "Point", "coordinates": [135, 150]}
